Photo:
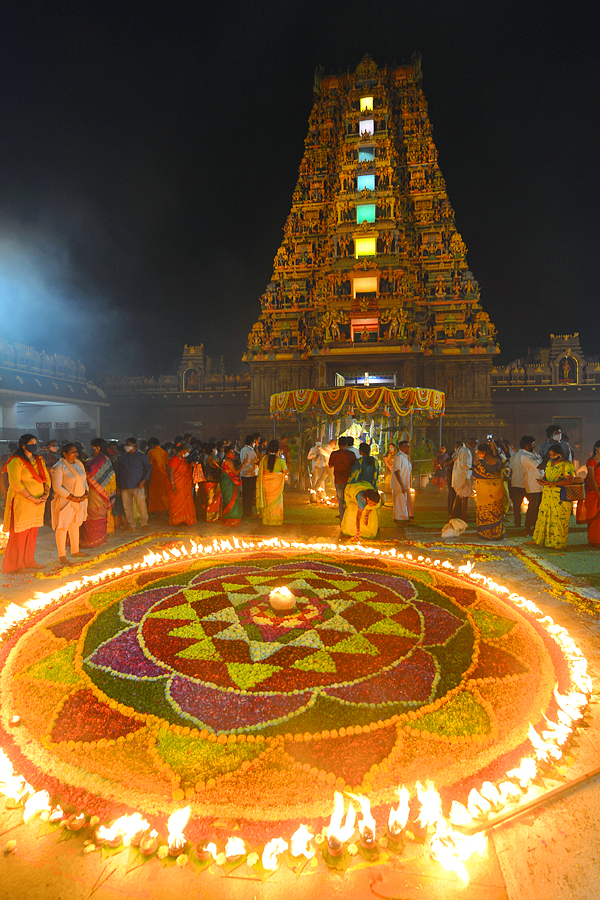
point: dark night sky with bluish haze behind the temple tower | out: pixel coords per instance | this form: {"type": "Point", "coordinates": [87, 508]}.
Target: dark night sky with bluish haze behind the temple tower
{"type": "Point", "coordinates": [148, 154]}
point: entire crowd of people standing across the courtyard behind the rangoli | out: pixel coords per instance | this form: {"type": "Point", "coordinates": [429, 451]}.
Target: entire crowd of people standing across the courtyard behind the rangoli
{"type": "Point", "coordinates": [85, 497]}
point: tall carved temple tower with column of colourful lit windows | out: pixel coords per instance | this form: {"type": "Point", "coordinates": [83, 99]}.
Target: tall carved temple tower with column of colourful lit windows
{"type": "Point", "coordinates": [371, 284]}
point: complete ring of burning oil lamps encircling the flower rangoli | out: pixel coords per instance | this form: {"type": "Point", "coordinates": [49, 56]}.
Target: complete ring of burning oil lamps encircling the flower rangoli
{"type": "Point", "coordinates": [451, 847]}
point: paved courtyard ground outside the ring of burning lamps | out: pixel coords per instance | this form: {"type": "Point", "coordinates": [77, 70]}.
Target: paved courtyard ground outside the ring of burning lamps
{"type": "Point", "coordinates": [547, 856]}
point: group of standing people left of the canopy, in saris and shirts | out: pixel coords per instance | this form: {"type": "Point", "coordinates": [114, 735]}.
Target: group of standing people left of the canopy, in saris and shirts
{"type": "Point", "coordinates": [85, 497]}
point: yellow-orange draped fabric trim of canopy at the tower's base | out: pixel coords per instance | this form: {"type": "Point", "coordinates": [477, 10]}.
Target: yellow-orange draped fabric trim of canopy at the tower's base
{"type": "Point", "coordinates": [351, 401]}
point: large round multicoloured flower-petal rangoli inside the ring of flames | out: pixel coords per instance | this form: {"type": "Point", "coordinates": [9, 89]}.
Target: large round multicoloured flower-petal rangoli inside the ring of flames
{"type": "Point", "coordinates": [182, 682]}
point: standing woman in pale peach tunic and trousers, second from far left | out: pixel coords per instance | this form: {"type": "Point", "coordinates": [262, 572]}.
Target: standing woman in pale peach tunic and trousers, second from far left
{"type": "Point", "coordinates": [69, 506]}
